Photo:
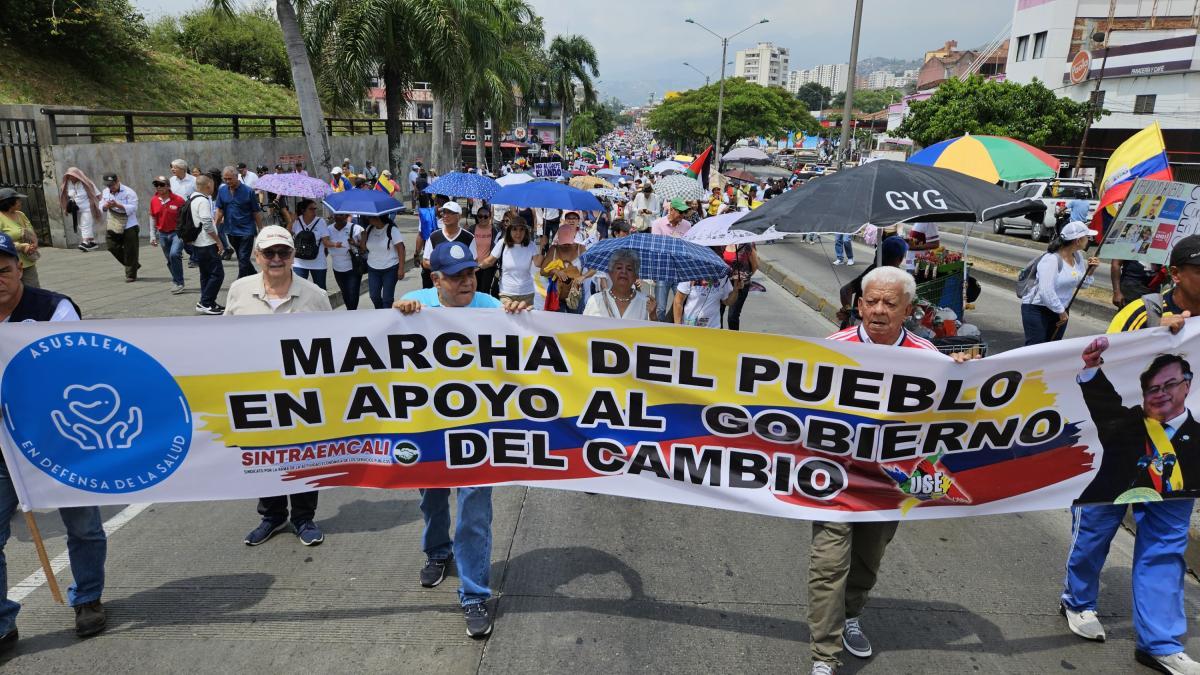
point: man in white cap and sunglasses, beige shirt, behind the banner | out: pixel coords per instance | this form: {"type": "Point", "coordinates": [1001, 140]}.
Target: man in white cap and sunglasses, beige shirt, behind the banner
{"type": "Point", "coordinates": [277, 290]}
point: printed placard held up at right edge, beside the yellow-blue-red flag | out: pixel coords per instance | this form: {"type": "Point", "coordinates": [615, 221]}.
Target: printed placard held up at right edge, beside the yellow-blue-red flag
{"type": "Point", "coordinates": [1153, 219]}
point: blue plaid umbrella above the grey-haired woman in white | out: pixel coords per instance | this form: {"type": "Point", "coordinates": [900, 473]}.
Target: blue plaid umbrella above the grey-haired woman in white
{"type": "Point", "coordinates": [670, 260]}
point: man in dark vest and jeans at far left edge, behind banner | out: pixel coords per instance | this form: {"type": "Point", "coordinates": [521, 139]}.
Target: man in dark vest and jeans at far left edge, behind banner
{"type": "Point", "coordinates": [87, 543]}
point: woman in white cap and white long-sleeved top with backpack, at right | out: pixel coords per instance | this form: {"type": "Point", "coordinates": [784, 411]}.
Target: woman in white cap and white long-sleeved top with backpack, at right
{"type": "Point", "coordinates": [1060, 272]}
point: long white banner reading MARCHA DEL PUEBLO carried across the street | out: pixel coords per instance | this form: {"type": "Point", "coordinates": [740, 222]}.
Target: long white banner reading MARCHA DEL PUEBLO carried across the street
{"type": "Point", "coordinates": [106, 413]}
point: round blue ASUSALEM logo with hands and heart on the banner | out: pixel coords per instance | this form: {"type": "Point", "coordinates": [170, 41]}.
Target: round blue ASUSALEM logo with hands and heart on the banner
{"type": "Point", "coordinates": [95, 413]}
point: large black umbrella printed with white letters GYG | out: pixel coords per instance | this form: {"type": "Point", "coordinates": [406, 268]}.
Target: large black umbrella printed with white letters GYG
{"type": "Point", "coordinates": [885, 193]}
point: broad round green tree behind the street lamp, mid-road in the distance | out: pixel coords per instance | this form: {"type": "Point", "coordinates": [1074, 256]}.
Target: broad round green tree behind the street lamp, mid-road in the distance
{"type": "Point", "coordinates": [751, 110]}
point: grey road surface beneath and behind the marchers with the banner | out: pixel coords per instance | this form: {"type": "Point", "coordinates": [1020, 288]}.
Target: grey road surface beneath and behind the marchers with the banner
{"type": "Point", "coordinates": [585, 584]}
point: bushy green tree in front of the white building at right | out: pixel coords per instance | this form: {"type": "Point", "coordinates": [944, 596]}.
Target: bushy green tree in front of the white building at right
{"type": "Point", "coordinates": [1027, 112]}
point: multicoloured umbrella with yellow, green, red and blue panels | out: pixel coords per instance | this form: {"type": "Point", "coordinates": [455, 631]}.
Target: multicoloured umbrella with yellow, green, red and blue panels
{"type": "Point", "coordinates": [989, 158]}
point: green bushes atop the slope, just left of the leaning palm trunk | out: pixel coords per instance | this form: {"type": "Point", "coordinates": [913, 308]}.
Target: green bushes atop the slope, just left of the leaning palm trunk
{"type": "Point", "coordinates": [249, 41]}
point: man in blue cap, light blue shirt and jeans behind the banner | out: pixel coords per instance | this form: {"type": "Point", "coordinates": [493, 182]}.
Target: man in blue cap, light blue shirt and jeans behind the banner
{"type": "Point", "coordinates": [453, 268]}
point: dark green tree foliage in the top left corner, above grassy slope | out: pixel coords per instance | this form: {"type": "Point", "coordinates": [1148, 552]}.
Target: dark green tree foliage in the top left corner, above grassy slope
{"type": "Point", "coordinates": [95, 32]}
